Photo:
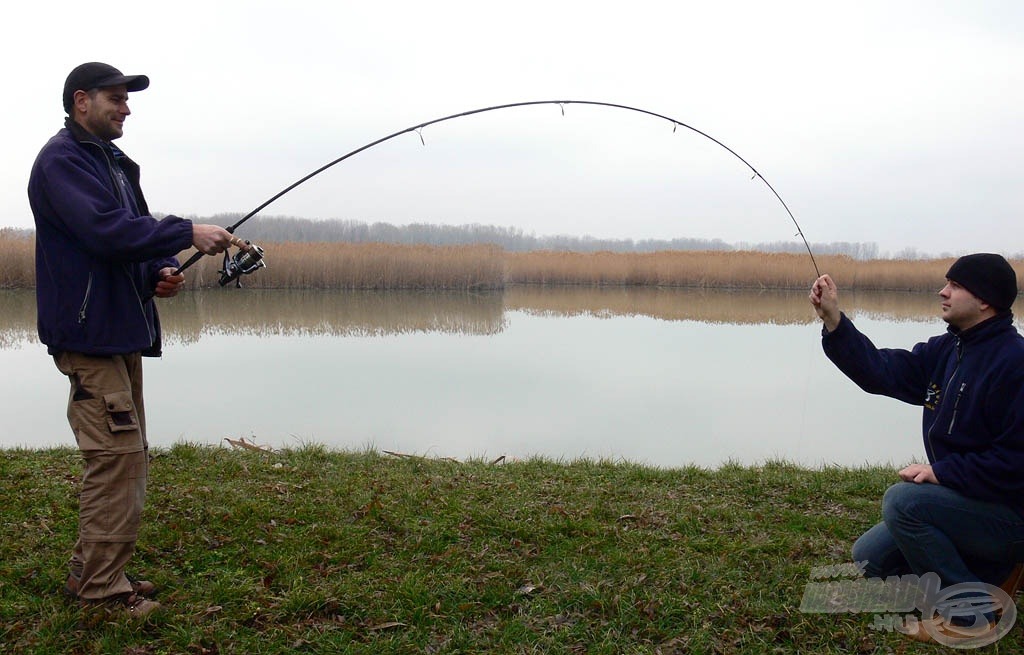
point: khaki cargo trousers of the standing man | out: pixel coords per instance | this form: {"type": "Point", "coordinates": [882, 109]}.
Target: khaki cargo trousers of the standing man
{"type": "Point", "coordinates": [107, 415]}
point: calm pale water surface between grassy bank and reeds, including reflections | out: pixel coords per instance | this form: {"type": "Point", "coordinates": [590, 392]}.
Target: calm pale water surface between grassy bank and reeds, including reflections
{"type": "Point", "coordinates": [667, 378]}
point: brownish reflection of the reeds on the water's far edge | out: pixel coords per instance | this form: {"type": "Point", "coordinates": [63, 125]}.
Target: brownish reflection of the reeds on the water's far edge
{"type": "Point", "coordinates": [340, 314]}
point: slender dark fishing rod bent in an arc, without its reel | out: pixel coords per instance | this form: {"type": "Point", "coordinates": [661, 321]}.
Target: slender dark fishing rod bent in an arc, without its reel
{"type": "Point", "coordinates": [419, 130]}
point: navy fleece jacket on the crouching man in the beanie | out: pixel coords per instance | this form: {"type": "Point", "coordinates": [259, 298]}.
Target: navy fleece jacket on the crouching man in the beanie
{"type": "Point", "coordinates": [971, 386]}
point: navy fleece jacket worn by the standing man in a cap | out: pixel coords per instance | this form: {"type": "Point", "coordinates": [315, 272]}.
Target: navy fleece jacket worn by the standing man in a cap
{"type": "Point", "coordinates": [99, 252]}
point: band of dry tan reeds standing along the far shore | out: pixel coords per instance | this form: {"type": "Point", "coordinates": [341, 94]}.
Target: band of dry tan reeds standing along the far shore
{"type": "Point", "coordinates": [378, 267]}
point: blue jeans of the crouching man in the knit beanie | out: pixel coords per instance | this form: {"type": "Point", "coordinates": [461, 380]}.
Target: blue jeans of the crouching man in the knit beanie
{"type": "Point", "coordinates": [931, 529]}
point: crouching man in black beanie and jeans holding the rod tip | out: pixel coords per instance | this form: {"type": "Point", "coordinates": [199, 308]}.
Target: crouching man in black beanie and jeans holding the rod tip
{"type": "Point", "coordinates": [961, 516]}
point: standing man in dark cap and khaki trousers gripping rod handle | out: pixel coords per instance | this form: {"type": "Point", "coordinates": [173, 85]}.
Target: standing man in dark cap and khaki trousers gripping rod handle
{"type": "Point", "coordinates": [101, 259]}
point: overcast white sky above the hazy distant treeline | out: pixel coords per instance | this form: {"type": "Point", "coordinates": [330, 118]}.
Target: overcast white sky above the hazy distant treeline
{"type": "Point", "coordinates": [898, 123]}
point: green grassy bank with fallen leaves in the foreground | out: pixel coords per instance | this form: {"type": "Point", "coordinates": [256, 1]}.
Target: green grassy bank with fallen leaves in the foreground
{"type": "Point", "coordinates": [324, 552]}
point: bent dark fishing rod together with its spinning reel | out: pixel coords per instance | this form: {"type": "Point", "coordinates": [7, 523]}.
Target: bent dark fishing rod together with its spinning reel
{"type": "Point", "coordinates": [250, 257]}
